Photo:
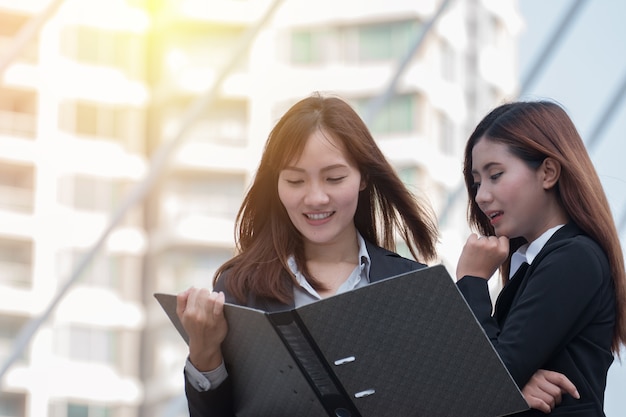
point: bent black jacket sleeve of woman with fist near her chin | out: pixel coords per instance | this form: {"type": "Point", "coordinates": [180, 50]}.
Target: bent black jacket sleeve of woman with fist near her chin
{"type": "Point", "coordinates": [560, 294]}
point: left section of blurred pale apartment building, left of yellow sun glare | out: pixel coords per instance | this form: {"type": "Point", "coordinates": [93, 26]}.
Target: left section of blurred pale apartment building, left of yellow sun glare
{"type": "Point", "coordinates": [73, 111]}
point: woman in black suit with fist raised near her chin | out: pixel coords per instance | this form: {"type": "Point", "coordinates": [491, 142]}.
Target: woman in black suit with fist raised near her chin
{"type": "Point", "coordinates": [544, 221]}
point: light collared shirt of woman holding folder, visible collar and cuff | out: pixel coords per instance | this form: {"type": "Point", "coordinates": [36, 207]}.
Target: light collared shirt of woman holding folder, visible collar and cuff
{"type": "Point", "coordinates": [302, 294]}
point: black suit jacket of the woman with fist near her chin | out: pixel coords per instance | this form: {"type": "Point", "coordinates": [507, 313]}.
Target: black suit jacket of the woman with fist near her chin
{"type": "Point", "coordinates": [558, 314]}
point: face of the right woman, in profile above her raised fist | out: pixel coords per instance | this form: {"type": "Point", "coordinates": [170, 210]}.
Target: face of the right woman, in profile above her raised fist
{"type": "Point", "coordinates": [515, 197]}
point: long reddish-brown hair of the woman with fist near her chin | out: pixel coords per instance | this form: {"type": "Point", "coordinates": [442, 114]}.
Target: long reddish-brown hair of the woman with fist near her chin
{"type": "Point", "coordinates": [537, 130]}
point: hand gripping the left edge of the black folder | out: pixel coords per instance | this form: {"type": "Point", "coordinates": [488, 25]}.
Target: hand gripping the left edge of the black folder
{"type": "Point", "coordinates": [201, 313]}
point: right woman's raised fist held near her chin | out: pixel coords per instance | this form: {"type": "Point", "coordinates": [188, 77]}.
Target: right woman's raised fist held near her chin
{"type": "Point", "coordinates": [482, 256]}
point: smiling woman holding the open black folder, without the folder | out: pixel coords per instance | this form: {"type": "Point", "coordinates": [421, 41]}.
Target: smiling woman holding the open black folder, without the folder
{"type": "Point", "coordinates": [320, 218]}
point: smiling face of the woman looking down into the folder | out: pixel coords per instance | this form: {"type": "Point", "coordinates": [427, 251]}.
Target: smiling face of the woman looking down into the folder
{"type": "Point", "coordinates": [320, 190]}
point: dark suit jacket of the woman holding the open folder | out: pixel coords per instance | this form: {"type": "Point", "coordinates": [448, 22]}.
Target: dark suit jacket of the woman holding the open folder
{"type": "Point", "coordinates": [219, 402]}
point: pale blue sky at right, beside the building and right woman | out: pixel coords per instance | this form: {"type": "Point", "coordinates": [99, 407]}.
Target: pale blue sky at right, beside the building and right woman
{"type": "Point", "coordinates": [586, 70]}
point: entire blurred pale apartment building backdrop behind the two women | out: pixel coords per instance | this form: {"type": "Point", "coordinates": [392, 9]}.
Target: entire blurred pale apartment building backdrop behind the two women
{"type": "Point", "coordinates": [107, 82]}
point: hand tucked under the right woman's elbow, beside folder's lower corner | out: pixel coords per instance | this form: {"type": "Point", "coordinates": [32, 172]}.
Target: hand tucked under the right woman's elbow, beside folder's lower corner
{"type": "Point", "coordinates": [545, 388]}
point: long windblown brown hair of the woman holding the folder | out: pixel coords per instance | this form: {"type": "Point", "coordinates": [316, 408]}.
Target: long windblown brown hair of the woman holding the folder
{"type": "Point", "coordinates": [265, 236]}
